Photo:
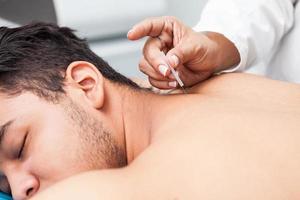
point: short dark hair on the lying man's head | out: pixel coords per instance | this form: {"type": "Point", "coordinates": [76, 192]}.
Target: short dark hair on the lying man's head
{"type": "Point", "coordinates": [34, 58]}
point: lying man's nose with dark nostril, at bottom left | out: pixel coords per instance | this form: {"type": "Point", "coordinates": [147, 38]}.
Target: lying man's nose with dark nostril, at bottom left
{"type": "Point", "coordinates": [23, 186]}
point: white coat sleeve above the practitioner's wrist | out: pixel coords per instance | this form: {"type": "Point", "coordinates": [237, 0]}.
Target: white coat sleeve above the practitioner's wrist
{"type": "Point", "coordinates": [255, 26]}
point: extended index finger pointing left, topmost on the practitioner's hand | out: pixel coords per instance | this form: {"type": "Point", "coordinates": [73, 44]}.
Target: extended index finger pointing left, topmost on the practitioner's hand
{"type": "Point", "coordinates": [149, 27]}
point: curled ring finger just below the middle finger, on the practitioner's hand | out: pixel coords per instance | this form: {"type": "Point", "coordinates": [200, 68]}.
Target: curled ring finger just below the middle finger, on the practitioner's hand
{"type": "Point", "coordinates": [148, 70]}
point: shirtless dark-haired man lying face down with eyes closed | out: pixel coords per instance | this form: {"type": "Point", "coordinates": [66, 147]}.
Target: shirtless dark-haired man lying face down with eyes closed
{"type": "Point", "coordinates": [63, 111]}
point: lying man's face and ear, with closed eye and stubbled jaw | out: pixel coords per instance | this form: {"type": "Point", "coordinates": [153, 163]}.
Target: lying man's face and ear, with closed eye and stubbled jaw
{"type": "Point", "coordinates": [69, 140]}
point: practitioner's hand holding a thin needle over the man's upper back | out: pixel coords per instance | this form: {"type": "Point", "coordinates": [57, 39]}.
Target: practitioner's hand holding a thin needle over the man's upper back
{"type": "Point", "coordinates": [195, 56]}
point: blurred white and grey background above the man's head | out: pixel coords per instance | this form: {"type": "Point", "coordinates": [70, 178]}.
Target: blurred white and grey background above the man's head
{"type": "Point", "coordinates": [104, 23]}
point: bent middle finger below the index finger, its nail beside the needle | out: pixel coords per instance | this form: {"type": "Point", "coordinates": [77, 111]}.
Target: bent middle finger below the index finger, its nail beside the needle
{"type": "Point", "coordinates": [154, 55]}
